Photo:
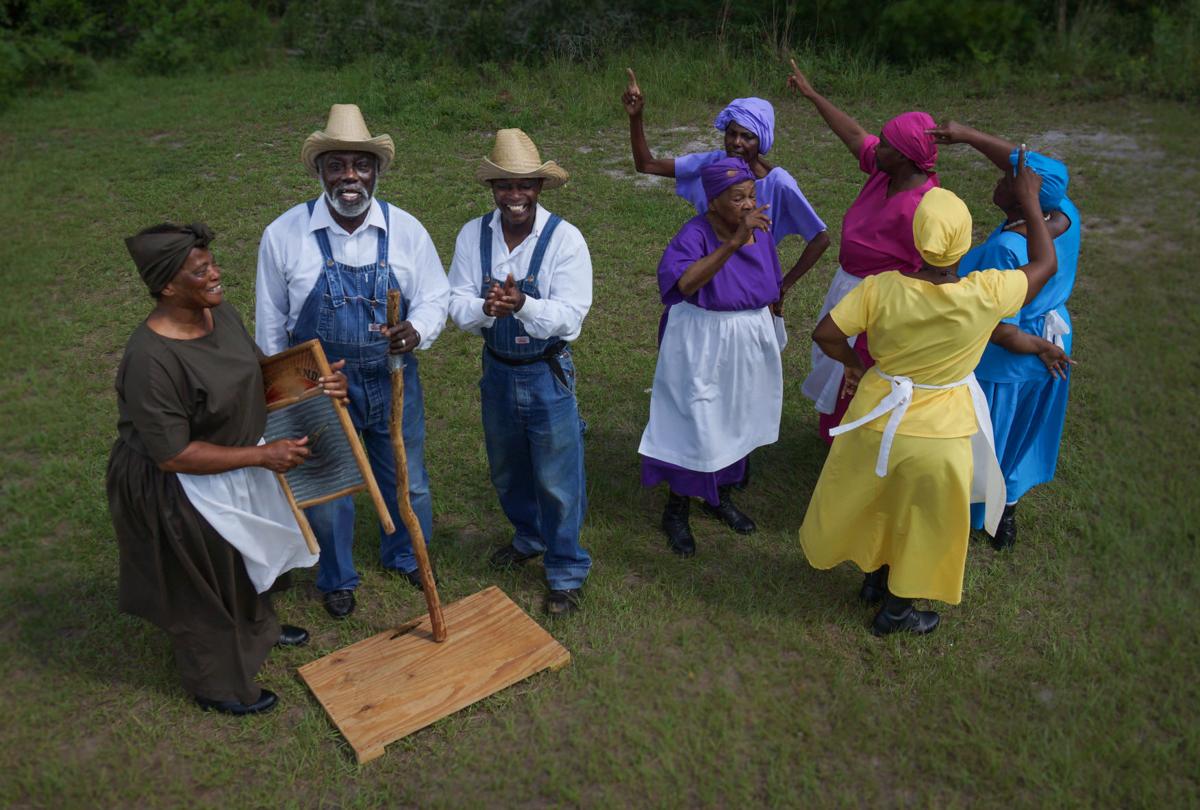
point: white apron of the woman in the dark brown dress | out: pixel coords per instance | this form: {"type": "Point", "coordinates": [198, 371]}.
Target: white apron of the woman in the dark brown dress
{"type": "Point", "coordinates": [249, 509]}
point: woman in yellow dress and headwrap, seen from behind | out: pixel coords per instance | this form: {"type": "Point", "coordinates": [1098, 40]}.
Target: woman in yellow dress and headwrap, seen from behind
{"type": "Point", "coordinates": [896, 491]}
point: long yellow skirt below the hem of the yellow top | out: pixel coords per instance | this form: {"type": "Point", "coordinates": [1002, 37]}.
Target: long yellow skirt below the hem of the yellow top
{"type": "Point", "coordinates": [916, 520]}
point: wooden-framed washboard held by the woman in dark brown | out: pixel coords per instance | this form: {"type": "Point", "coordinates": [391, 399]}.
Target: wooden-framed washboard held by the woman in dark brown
{"type": "Point", "coordinates": [297, 407]}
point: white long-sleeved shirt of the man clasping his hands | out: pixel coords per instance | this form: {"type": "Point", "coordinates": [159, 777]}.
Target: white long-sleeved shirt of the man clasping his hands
{"type": "Point", "coordinates": [565, 281]}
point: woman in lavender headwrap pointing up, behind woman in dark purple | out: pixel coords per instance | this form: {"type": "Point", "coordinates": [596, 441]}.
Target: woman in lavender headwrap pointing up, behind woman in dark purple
{"type": "Point", "coordinates": [749, 128]}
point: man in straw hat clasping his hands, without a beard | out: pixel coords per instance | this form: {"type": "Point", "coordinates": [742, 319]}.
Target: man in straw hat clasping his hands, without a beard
{"type": "Point", "coordinates": [521, 278]}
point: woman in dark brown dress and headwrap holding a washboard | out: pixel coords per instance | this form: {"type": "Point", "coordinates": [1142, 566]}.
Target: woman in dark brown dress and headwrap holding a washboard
{"type": "Point", "coordinates": [190, 400]}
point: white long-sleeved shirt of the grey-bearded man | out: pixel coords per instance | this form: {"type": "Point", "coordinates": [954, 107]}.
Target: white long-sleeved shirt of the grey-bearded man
{"type": "Point", "coordinates": [290, 263]}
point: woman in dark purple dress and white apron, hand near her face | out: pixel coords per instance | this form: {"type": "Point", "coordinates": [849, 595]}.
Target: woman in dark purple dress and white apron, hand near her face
{"type": "Point", "coordinates": [719, 383]}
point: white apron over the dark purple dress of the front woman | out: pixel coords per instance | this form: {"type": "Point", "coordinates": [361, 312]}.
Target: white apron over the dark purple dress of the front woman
{"type": "Point", "coordinates": [718, 388]}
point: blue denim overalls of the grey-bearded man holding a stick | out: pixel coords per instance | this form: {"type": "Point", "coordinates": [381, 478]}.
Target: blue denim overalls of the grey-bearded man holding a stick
{"type": "Point", "coordinates": [345, 311]}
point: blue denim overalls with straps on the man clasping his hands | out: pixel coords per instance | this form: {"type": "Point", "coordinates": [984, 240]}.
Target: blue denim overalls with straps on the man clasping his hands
{"type": "Point", "coordinates": [532, 431]}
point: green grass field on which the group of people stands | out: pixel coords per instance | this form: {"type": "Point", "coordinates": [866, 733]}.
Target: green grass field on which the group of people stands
{"type": "Point", "coordinates": [742, 677]}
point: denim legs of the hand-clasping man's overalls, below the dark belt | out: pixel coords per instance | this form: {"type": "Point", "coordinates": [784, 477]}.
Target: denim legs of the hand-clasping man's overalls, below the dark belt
{"type": "Point", "coordinates": [536, 454]}
